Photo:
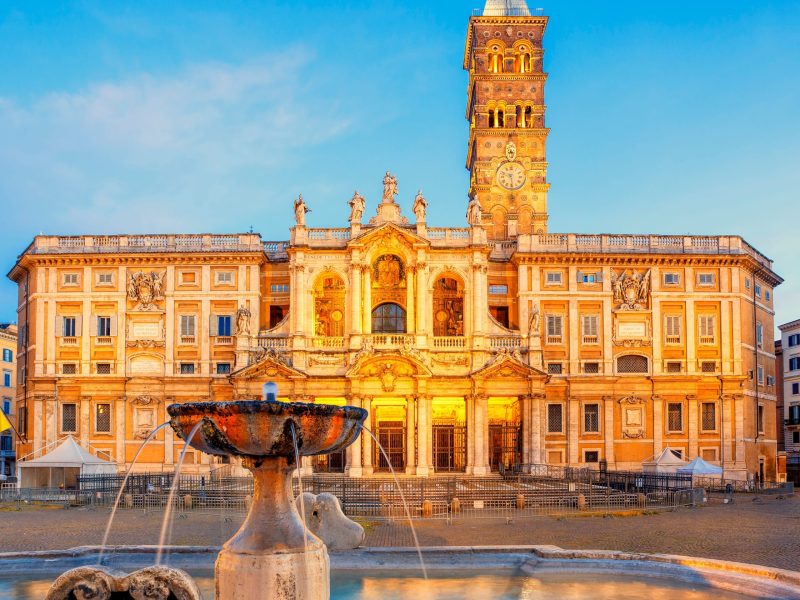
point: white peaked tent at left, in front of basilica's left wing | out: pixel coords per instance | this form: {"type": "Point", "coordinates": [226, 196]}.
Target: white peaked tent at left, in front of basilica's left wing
{"type": "Point", "coordinates": [61, 467]}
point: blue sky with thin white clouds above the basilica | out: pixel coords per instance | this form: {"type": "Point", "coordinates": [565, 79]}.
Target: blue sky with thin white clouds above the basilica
{"type": "Point", "coordinates": [154, 116]}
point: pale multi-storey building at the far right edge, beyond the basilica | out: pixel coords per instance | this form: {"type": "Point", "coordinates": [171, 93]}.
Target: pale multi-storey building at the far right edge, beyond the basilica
{"type": "Point", "coordinates": [789, 367]}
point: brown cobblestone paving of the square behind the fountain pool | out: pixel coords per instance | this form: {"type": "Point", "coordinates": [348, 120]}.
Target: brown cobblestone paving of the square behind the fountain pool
{"type": "Point", "coordinates": [764, 532]}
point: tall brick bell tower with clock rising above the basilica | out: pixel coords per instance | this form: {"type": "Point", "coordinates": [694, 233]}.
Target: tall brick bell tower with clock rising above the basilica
{"type": "Point", "coordinates": [505, 109]}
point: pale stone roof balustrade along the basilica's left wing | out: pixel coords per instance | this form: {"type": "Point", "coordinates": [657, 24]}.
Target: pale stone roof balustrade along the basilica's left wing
{"type": "Point", "coordinates": [84, 244]}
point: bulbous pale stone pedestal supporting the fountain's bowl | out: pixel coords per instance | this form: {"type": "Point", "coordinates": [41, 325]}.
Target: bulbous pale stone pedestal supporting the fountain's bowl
{"type": "Point", "coordinates": [272, 555]}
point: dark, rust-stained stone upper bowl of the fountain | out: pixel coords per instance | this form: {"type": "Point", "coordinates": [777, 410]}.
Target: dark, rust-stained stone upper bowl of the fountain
{"type": "Point", "coordinates": [261, 428]}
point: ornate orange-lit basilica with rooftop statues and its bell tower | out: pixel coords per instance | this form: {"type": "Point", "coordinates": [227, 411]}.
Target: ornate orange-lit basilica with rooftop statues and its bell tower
{"type": "Point", "coordinates": [474, 348]}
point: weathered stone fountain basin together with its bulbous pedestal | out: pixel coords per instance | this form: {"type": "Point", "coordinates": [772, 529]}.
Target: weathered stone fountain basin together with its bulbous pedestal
{"type": "Point", "coordinates": [273, 555]}
